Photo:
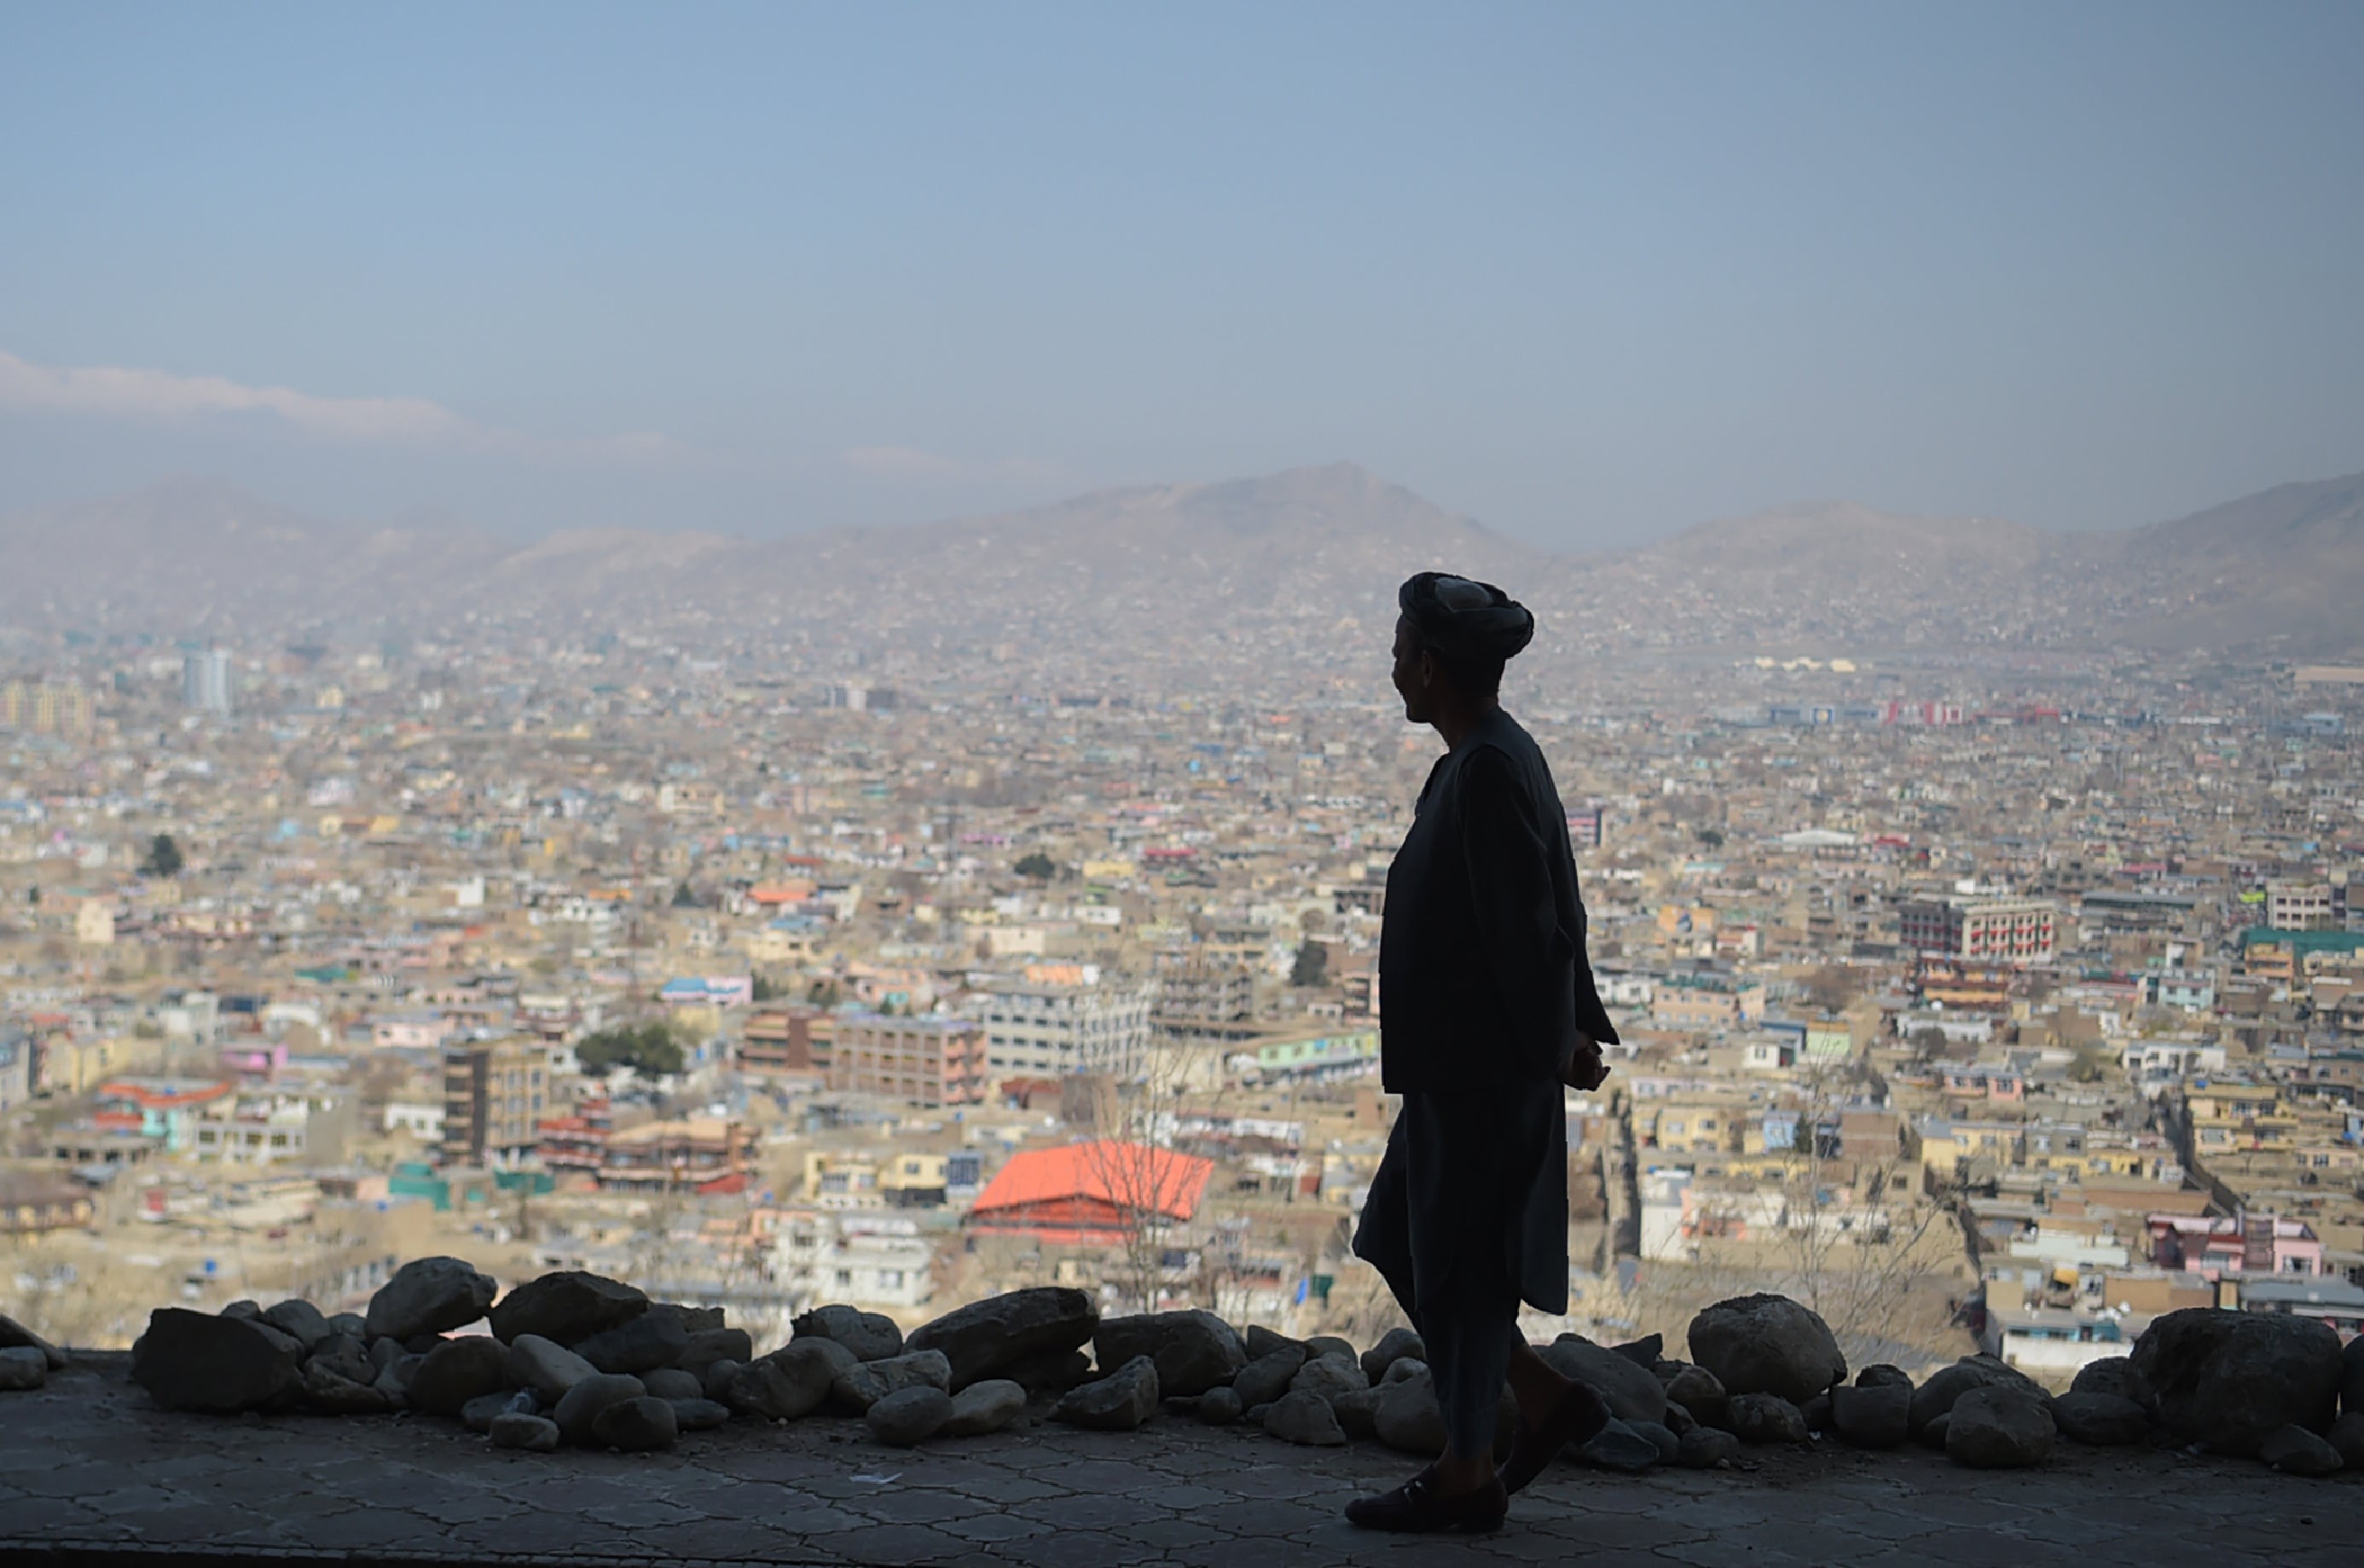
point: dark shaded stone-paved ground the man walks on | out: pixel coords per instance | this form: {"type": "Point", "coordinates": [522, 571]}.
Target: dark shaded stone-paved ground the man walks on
{"type": "Point", "coordinates": [93, 1475]}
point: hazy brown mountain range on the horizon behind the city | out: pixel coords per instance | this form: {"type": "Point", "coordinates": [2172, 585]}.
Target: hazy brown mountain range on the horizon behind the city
{"type": "Point", "coordinates": [1228, 571]}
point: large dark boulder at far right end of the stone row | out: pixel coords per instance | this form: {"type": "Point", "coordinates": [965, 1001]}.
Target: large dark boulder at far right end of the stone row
{"type": "Point", "coordinates": [2228, 1380]}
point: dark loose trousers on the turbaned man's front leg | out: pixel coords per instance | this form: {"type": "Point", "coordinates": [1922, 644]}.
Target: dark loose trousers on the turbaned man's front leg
{"type": "Point", "coordinates": [1467, 1314]}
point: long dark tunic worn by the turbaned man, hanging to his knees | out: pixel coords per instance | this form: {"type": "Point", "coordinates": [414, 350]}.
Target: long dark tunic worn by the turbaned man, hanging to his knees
{"type": "Point", "coordinates": [1483, 983]}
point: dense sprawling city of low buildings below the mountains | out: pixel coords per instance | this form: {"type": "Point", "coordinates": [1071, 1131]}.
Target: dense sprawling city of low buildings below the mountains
{"type": "Point", "coordinates": [1977, 1002]}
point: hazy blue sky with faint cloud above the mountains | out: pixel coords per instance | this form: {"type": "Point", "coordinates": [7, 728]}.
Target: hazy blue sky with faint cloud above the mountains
{"type": "Point", "coordinates": [1587, 273]}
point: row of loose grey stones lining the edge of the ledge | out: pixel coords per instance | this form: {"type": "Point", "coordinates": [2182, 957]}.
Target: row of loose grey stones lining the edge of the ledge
{"type": "Point", "coordinates": [573, 1359]}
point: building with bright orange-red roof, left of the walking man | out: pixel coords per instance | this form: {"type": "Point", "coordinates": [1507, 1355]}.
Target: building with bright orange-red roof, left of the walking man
{"type": "Point", "coordinates": [1091, 1193]}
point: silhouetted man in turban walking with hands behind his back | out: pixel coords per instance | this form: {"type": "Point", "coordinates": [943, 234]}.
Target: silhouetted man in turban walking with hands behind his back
{"type": "Point", "coordinates": [1488, 1006]}
